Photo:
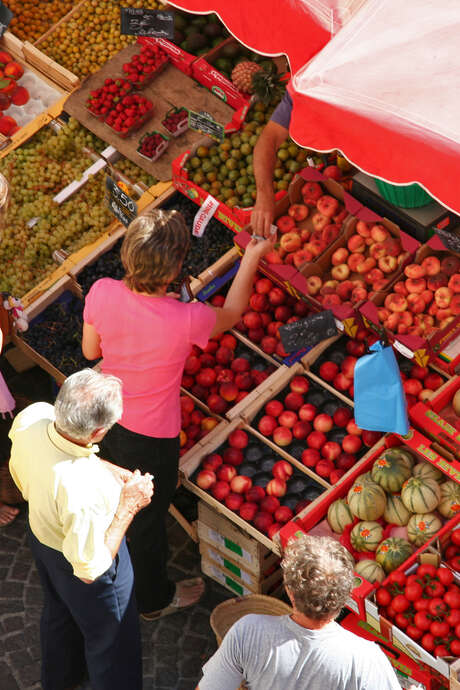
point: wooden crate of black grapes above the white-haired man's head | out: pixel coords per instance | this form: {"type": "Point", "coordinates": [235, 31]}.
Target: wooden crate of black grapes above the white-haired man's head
{"type": "Point", "coordinates": [53, 338]}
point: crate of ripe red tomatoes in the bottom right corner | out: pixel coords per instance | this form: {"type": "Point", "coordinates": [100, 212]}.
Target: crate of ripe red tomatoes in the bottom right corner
{"type": "Point", "coordinates": [417, 607]}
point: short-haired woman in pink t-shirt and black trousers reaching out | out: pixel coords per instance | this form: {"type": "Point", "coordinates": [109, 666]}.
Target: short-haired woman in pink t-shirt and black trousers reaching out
{"type": "Point", "coordinates": [144, 336]}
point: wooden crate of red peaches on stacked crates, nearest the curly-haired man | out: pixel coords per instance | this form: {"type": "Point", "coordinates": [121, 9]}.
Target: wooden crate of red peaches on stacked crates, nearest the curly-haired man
{"type": "Point", "coordinates": [239, 475]}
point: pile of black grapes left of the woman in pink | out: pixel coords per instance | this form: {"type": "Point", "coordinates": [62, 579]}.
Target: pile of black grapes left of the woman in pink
{"type": "Point", "coordinates": [56, 334]}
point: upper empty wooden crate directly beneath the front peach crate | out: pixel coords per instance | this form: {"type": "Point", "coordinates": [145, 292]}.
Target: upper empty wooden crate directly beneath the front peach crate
{"type": "Point", "coordinates": [235, 543]}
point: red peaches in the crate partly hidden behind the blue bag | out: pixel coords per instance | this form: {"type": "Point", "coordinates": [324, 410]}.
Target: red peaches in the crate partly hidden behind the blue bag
{"type": "Point", "coordinates": [336, 365]}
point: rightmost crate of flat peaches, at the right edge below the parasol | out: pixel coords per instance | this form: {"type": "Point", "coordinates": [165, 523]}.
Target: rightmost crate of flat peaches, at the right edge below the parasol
{"type": "Point", "coordinates": [422, 309]}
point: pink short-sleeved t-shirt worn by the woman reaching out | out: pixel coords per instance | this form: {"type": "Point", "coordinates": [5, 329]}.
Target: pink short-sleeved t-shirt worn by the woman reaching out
{"type": "Point", "coordinates": [145, 341]}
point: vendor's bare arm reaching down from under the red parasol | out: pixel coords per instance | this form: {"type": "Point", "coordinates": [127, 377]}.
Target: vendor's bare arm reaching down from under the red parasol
{"type": "Point", "coordinates": [264, 162]}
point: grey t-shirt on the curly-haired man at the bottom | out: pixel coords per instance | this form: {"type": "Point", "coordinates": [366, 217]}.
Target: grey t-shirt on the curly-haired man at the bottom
{"type": "Point", "coordinates": [274, 653]}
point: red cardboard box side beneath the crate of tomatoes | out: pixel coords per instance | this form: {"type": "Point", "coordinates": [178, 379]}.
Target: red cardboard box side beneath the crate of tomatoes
{"type": "Point", "coordinates": [407, 670]}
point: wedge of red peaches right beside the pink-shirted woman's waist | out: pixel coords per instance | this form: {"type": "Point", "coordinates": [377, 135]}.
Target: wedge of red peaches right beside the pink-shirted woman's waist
{"type": "Point", "coordinates": [196, 422]}
